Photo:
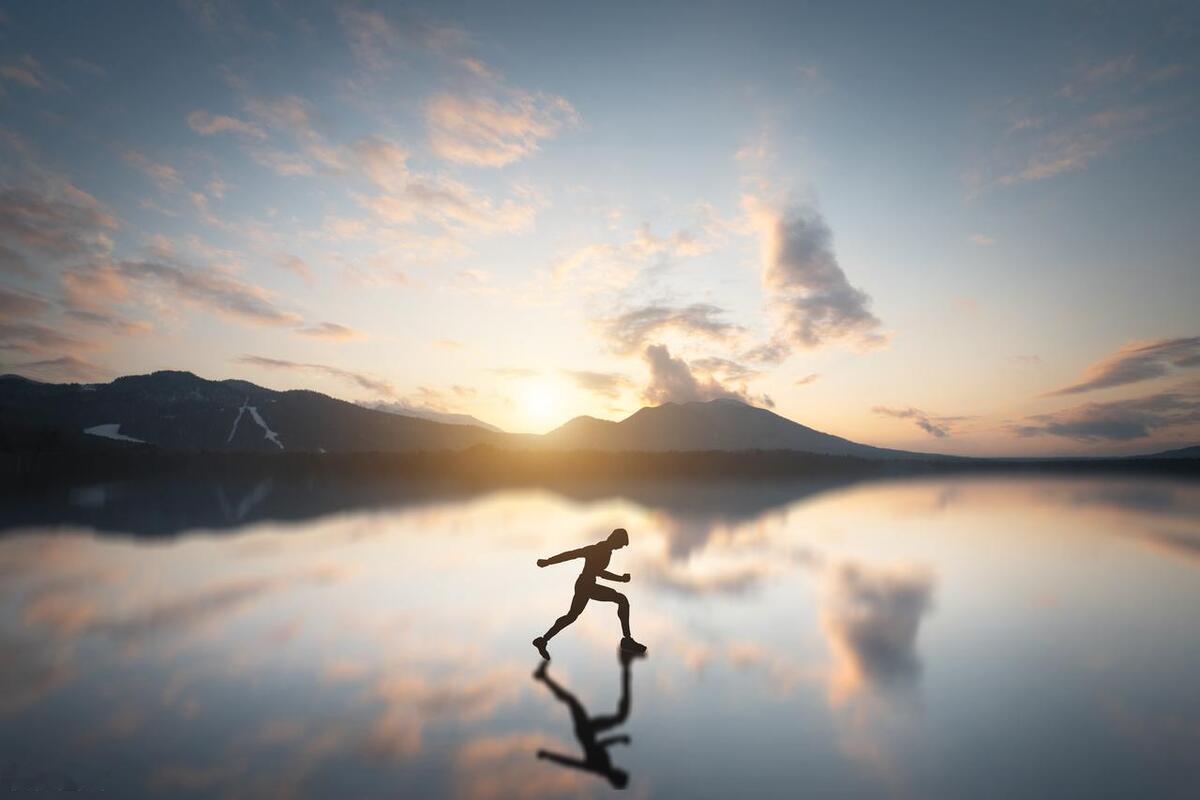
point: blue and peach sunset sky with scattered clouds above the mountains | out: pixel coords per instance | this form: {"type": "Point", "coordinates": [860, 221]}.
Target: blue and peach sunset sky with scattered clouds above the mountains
{"type": "Point", "coordinates": [964, 228]}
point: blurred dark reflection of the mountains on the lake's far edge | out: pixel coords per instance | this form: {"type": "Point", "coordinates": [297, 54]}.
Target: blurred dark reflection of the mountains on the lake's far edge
{"type": "Point", "coordinates": [169, 507]}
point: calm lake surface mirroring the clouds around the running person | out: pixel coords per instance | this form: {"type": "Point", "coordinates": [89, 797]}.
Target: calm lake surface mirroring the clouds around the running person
{"type": "Point", "coordinates": [950, 637]}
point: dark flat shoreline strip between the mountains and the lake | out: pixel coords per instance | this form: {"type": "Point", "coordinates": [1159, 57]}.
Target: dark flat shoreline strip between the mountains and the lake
{"type": "Point", "coordinates": [495, 467]}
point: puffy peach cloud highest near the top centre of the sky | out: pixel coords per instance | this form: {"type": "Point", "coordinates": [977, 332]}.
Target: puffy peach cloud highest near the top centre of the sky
{"type": "Point", "coordinates": [487, 131]}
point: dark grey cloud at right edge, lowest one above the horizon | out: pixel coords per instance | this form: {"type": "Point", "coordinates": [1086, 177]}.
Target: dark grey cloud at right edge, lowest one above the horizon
{"type": "Point", "coordinates": [1118, 422]}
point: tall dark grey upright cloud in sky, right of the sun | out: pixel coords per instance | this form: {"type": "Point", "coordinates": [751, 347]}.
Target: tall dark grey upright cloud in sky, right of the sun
{"type": "Point", "coordinates": [807, 287]}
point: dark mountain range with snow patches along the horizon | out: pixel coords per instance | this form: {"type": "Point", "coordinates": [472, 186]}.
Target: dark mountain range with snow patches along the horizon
{"type": "Point", "coordinates": [182, 412]}
